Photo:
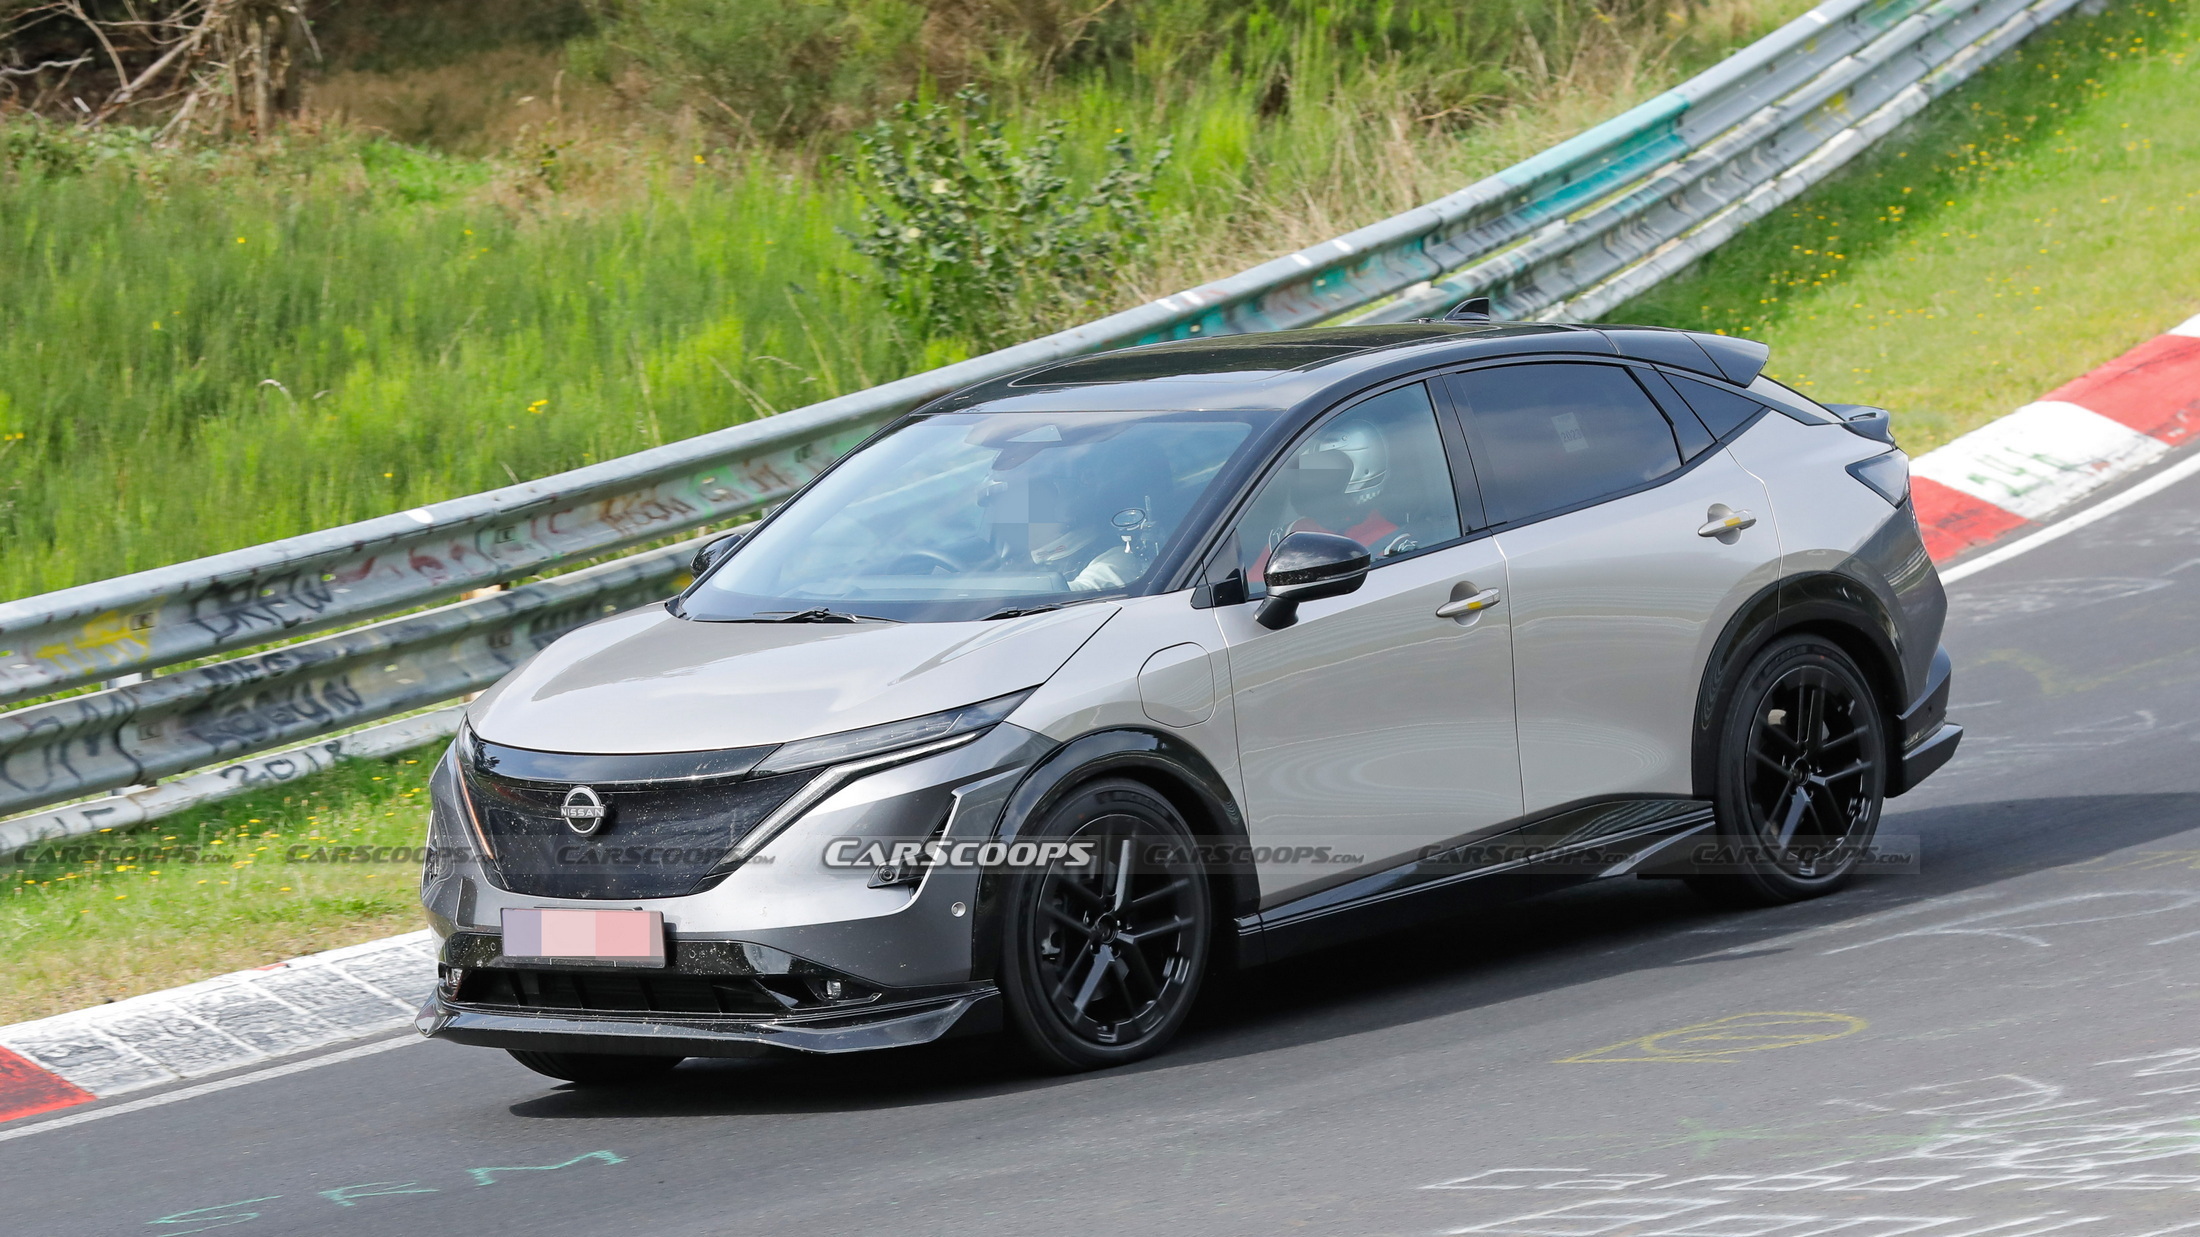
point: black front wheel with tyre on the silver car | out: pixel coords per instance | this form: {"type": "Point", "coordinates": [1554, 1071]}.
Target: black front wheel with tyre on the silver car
{"type": "Point", "coordinates": [1103, 959]}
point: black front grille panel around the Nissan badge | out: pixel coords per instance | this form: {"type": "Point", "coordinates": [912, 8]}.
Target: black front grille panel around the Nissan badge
{"type": "Point", "coordinates": [659, 840]}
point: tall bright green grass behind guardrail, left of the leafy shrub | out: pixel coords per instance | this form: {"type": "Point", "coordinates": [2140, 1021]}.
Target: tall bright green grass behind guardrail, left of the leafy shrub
{"type": "Point", "coordinates": [247, 358]}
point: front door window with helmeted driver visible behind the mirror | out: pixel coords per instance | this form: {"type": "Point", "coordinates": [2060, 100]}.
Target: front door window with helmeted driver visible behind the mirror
{"type": "Point", "coordinates": [1374, 472]}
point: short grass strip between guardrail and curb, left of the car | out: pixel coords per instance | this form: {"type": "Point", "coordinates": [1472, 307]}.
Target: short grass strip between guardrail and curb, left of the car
{"type": "Point", "coordinates": [225, 888]}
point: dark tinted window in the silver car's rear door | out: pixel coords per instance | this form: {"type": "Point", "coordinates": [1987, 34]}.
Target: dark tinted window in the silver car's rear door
{"type": "Point", "coordinates": [1554, 437]}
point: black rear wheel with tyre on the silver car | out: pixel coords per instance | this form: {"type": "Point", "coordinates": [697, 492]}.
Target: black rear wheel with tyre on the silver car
{"type": "Point", "coordinates": [1803, 774]}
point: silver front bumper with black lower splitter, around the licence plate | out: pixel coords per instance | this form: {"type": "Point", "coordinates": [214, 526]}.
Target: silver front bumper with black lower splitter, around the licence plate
{"type": "Point", "coordinates": [745, 956]}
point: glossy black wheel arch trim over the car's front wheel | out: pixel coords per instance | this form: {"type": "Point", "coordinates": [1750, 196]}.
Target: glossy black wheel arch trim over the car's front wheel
{"type": "Point", "coordinates": [1171, 769]}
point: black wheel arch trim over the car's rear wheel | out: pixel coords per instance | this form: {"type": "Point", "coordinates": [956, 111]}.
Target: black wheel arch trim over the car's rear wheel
{"type": "Point", "coordinates": [1820, 604]}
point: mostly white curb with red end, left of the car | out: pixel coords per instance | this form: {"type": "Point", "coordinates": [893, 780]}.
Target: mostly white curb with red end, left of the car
{"type": "Point", "coordinates": [217, 1025]}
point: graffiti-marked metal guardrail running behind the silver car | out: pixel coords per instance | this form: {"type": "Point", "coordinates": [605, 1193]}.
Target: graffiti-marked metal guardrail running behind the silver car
{"type": "Point", "coordinates": [1565, 234]}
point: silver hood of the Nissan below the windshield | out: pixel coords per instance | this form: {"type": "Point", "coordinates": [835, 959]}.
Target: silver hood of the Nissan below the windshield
{"type": "Point", "coordinates": [650, 683]}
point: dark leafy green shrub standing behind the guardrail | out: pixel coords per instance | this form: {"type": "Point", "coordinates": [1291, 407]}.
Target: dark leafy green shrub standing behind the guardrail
{"type": "Point", "coordinates": [973, 239]}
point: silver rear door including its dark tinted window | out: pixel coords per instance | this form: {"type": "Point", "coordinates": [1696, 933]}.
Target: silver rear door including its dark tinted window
{"type": "Point", "coordinates": [1622, 569]}
